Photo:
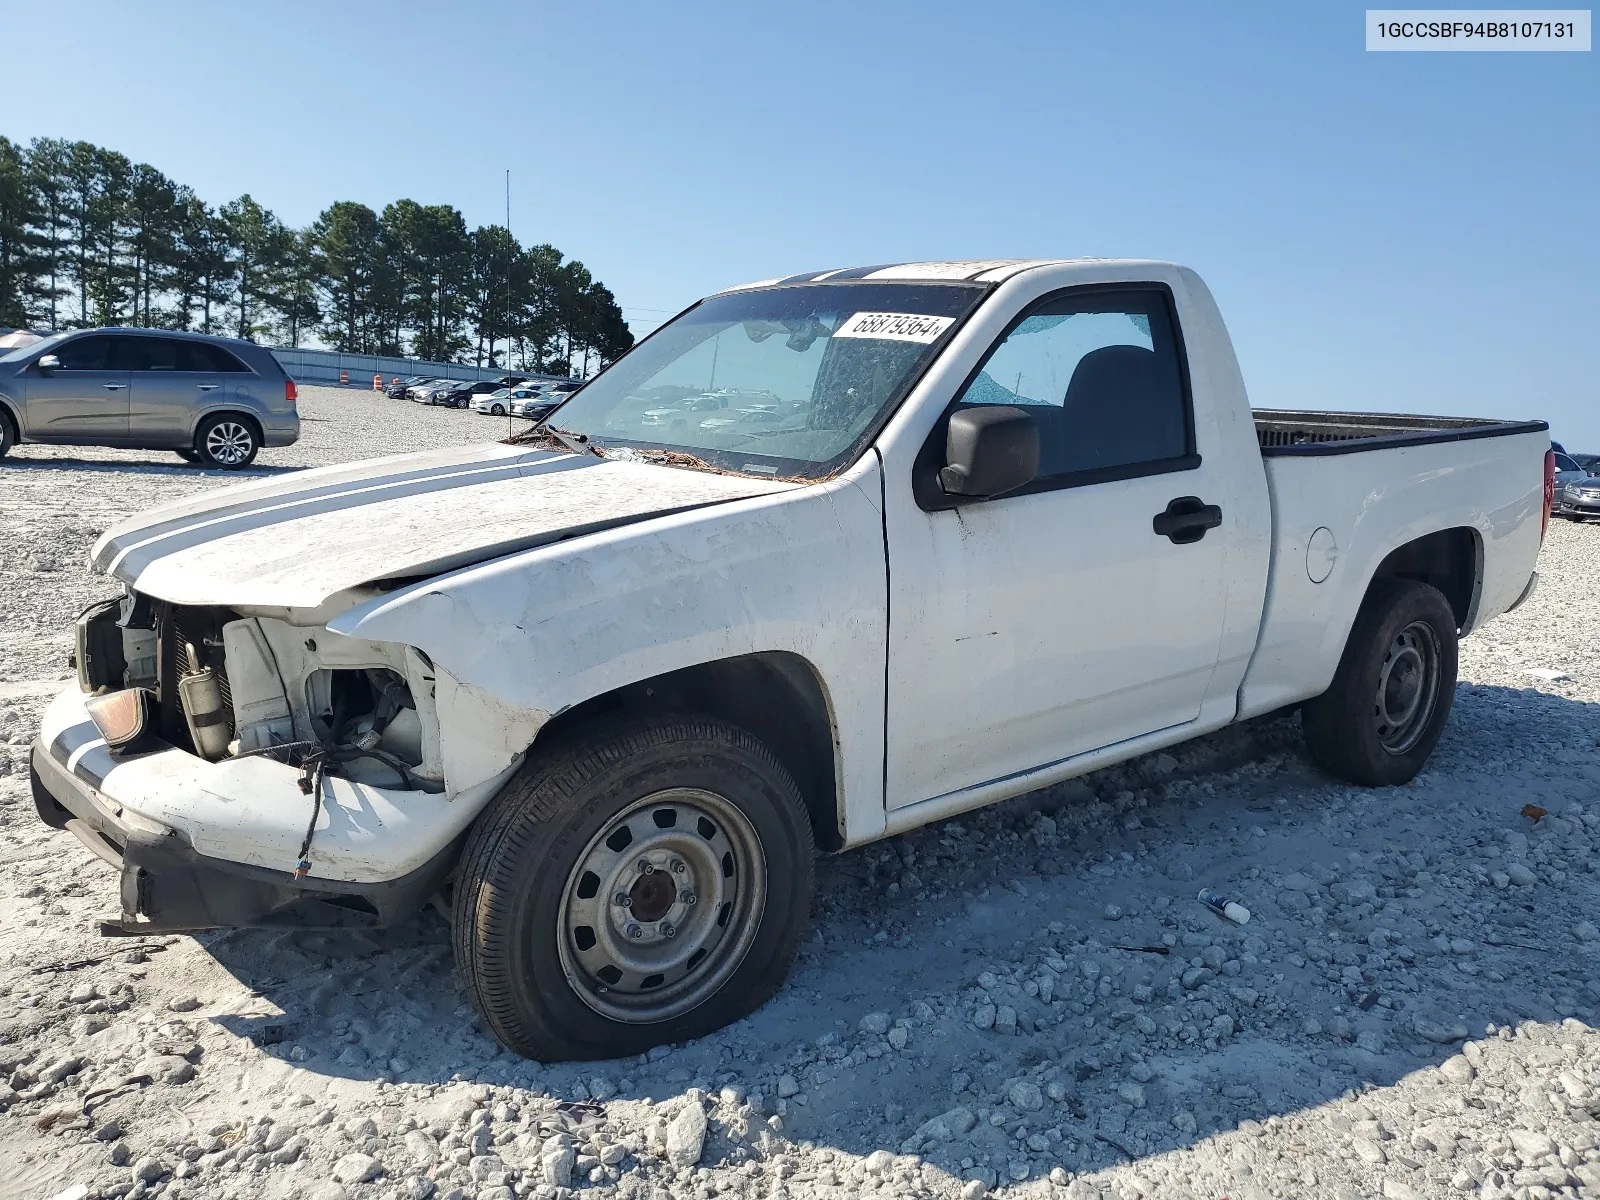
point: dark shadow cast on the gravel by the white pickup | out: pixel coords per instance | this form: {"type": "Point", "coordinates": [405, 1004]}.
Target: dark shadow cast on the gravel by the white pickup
{"type": "Point", "coordinates": [1054, 974]}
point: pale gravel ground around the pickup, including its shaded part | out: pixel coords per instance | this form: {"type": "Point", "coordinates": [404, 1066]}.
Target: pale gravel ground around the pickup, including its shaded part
{"type": "Point", "coordinates": [1026, 1001]}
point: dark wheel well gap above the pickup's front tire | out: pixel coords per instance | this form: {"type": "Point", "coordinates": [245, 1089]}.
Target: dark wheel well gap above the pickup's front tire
{"type": "Point", "coordinates": [774, 697]}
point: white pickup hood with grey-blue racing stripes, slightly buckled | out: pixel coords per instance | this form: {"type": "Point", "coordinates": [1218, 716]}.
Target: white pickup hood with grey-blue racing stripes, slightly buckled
{"type": "Point", "coordinates": [300, 538]}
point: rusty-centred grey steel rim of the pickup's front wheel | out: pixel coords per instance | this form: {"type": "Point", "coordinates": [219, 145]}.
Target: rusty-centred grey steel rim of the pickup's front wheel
{"type": "Point", "coordinates": [690, 919]}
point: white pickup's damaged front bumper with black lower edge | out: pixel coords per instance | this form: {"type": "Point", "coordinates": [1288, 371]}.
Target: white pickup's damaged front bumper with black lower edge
{"type": "Point", "coordinates": [204, 846]}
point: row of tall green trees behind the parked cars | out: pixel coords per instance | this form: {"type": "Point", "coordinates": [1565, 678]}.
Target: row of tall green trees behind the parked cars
{"type": "Point", "coordinates": [90, 238]}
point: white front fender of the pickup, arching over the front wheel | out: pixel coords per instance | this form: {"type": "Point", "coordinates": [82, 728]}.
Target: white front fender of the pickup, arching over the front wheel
{"type": "Point", "coordinates": [534, 634]}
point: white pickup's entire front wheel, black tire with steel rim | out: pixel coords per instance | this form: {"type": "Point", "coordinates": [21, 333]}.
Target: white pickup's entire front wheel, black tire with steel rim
{"type": "Point", "coordinates": [518, 948]}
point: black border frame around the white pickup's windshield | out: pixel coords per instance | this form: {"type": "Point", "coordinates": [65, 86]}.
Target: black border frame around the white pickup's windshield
{"type": "Point", "coordinates": [809, 473]}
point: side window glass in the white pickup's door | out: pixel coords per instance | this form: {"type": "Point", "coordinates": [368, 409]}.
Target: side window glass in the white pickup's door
{"type": "Point", "coordinates": [1102, 378]}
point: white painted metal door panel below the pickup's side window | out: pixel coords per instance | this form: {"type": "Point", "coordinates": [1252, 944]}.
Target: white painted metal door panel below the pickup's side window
{"type": "Point", "coordinates": [1055, 625]}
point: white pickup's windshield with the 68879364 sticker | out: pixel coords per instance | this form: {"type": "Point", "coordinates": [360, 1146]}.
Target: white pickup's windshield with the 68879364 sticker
{"type": "Point", "coordinates": [775, 382]}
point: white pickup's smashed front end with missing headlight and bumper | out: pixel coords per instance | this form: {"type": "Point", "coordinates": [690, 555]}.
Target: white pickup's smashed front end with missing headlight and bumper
{"type": "Point", "coordinates": [252, 767]}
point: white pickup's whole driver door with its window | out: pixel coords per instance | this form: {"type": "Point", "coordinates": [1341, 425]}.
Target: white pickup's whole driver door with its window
{"type": "Point", "coordinates": [1038, 626]}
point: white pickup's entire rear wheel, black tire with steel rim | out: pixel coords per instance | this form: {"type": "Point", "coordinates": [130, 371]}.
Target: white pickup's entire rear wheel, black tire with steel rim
{"type": "Point", "coordinates": [1391, 697]}
